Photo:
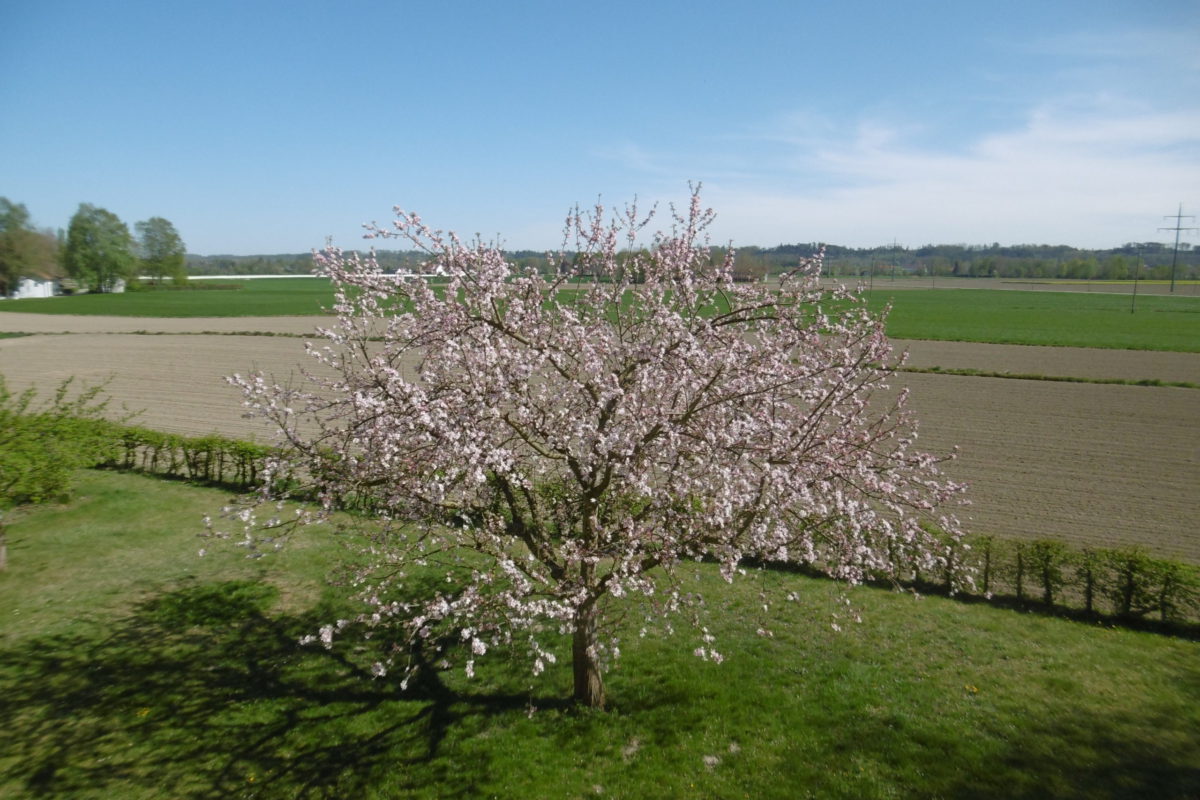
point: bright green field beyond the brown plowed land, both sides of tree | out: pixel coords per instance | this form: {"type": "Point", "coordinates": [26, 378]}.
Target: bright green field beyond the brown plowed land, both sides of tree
{"type": "Point", "coordinates": [1045, 318]}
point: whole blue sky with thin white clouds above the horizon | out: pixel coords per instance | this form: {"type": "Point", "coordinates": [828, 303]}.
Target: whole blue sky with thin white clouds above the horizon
{"type": "Point", "coordinates": [262, 128]}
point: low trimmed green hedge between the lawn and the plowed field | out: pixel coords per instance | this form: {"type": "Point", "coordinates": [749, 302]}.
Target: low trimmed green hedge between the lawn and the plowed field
{"type": "Point", "coordinates": [1124, 584]}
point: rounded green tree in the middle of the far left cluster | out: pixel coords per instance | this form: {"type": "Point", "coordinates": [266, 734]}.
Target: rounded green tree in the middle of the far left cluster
{"type": "Point", "coordinates": [99, 250]}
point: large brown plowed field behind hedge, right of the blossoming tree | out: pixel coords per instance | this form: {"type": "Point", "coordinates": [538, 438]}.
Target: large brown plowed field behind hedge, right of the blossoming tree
{"type": "Point", "coordinates": [1091, 465]}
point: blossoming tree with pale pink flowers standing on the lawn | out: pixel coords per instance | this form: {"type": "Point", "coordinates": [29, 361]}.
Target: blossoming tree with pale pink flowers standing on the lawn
{"type": "Point", "coordinates": [560, 444]}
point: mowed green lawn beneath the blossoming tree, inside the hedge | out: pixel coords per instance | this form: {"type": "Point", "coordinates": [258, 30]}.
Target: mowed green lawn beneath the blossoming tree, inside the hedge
{"type": "Point", "coordinates": [131, 669]}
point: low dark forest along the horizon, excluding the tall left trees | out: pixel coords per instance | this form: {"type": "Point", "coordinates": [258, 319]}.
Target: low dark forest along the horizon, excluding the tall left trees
{"type": "Point", "coordinates": [1029, 262]}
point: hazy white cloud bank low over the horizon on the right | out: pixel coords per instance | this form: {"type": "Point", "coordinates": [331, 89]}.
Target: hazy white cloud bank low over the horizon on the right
{"type": "Point", "coordinates": [1079, 173]}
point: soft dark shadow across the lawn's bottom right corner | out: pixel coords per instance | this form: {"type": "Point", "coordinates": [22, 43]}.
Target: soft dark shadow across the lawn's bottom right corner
{"type": "Point", "coordinates": [1063, 750]}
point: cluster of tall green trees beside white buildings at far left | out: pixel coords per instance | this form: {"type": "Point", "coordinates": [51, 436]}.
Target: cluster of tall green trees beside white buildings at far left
{"type": "Point", "coordinates": [95, 254]}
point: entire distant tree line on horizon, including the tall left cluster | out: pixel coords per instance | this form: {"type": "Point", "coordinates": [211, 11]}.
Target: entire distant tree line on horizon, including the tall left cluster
{"type": "Point", "coordinates": [98, 251]}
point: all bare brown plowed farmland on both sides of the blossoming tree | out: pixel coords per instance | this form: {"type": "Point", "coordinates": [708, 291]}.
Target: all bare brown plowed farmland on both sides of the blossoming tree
{"type": "Point", "coordinates": [1102, 465]}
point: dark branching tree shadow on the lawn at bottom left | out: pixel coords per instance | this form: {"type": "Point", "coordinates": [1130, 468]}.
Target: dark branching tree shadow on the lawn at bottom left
{"type": "Point", "coordinates": [200, 694]}
